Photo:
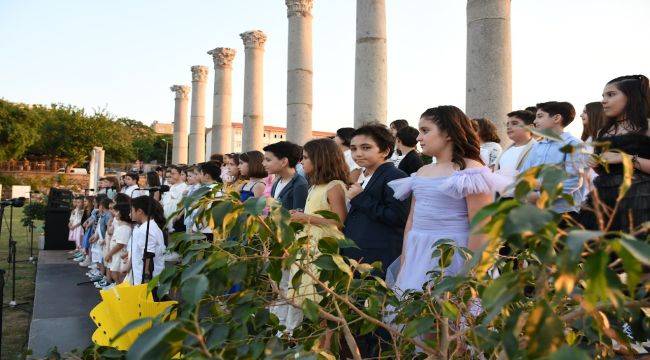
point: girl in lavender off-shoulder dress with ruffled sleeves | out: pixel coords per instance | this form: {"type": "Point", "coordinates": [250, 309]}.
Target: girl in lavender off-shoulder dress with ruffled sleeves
{"type": "Point", "coordinates": [446, 195]}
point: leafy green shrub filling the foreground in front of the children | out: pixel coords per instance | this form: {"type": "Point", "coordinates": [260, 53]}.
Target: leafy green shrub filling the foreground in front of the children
{"type": "Point", "coordinates": [562, 293]}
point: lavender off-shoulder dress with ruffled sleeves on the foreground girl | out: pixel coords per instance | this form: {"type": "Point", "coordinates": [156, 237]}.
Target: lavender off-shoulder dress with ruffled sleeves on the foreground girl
{"type": "Point", "coordinates": [440, 213]}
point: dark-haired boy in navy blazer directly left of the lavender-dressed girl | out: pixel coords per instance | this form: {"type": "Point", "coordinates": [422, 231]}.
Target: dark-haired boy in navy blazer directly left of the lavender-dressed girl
{"type": "Point", "coordinates": [376, 219]}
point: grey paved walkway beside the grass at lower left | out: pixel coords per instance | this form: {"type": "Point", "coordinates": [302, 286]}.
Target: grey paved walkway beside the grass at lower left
{"type": "Point", "coordinates": [60, 316]}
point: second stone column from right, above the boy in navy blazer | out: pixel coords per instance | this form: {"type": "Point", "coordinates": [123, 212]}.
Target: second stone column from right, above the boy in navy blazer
{"type": "Point", "coordinates": [370, 63]}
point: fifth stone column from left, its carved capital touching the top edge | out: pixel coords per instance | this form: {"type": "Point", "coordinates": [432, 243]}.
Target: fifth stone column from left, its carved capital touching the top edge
{"type": "Point", "coordinates": [299, 71]}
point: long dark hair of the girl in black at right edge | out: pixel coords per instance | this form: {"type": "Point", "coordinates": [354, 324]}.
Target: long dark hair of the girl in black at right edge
{"type": "Point", "coordinates": [637, 110]}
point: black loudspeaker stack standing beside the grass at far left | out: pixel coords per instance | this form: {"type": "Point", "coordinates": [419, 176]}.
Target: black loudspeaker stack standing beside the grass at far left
{"type": "Point", "coordinates": [57, 216]}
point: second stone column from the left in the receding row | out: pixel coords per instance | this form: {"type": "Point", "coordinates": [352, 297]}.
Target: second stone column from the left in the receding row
{"type": "Point", "coordinates": [197, 115]}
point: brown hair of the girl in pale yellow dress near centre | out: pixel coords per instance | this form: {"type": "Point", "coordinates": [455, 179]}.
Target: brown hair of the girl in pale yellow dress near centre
{"type": "Point", "coordinates": [327, 160]}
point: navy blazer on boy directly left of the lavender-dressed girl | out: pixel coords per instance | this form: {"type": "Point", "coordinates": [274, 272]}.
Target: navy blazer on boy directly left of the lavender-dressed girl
{"type": "Point", "coordinates": [376, 219]}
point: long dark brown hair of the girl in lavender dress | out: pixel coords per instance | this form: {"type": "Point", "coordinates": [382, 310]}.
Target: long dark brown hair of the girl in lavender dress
{"type": "Point", "coordinates": [454, 123]}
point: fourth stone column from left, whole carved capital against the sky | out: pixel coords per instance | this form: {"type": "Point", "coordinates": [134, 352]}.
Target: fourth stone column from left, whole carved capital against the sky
{"type": "Point", "coordinates": [253, 132]}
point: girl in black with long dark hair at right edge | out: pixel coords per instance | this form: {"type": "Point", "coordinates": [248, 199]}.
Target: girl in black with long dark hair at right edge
{"type": "Point", "coordinates": [626, 104]}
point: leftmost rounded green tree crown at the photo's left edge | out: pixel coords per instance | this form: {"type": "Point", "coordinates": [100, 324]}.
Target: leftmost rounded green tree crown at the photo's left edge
{"type": "Point", "coordinates": [19, 126]}
